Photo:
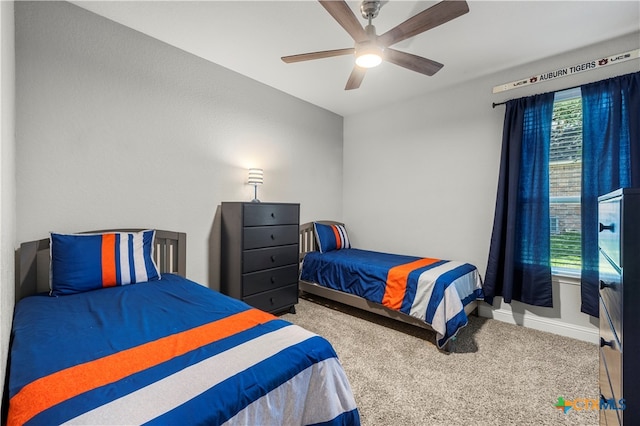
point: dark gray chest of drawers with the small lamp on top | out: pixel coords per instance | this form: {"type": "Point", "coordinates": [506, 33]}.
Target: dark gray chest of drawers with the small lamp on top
{"type": "Point", "coordinates": [260, 254]}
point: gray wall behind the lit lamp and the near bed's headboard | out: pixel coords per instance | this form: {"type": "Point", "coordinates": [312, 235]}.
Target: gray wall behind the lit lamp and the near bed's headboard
{"type": "Point", "coordinates": [116, 129]}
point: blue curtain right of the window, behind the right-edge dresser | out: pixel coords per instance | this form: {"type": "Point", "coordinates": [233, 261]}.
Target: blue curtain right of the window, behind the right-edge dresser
{"type": "Point", "coordinates": [610, 160]}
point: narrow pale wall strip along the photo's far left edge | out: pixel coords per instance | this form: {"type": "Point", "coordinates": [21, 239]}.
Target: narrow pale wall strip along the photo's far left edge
{"type": "Point", "coordinates": [7, 178]}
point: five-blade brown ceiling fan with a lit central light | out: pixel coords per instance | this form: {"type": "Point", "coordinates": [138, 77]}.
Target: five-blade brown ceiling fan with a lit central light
{"type": "Point", "coordinates": [370, 49]}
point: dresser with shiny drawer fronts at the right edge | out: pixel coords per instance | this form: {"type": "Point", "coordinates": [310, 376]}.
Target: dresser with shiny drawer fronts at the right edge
{"type": "Point", "coordinates": [619, 244]}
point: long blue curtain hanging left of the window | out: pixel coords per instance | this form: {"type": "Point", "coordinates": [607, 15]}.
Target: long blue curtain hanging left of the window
{"type": "Point", "coordinates": [518, 266]}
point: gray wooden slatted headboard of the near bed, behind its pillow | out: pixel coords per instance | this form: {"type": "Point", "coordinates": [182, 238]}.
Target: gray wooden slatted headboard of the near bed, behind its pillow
{"type": "Point", "coordinates": [32, 260]}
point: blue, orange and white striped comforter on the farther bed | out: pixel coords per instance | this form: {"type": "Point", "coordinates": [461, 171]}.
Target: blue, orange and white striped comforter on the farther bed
{"type": "Point", "coordinates": [432, 290]}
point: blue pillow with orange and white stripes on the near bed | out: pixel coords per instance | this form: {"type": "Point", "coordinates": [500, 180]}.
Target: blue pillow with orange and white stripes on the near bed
{"type": "Point", "coordinates": [83, 262]}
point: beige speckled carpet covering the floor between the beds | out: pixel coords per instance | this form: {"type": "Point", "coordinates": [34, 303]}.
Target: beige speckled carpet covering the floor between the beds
{"type": "Point", "coordinates": [495, 374]}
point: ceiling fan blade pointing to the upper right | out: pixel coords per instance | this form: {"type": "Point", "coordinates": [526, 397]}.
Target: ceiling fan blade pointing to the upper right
{"type": "Point", "coordinates": [436, 15]}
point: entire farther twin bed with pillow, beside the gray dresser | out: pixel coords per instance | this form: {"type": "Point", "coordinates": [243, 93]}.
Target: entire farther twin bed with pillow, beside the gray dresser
{"type": "Point", "coordinates": [431, 293]}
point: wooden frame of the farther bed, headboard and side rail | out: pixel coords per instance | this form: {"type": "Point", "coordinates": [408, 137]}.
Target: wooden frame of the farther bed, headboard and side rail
{"type": "Point", "coordinates": [308, 244]}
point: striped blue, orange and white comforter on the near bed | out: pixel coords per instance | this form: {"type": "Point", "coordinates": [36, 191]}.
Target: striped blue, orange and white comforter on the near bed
{"type": "Point", "coordinates": [169, 352]}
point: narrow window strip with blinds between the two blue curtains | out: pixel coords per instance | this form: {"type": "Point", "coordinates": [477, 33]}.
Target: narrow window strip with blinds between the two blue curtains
{"type": "Point", "coordinates": [565, 174]}
